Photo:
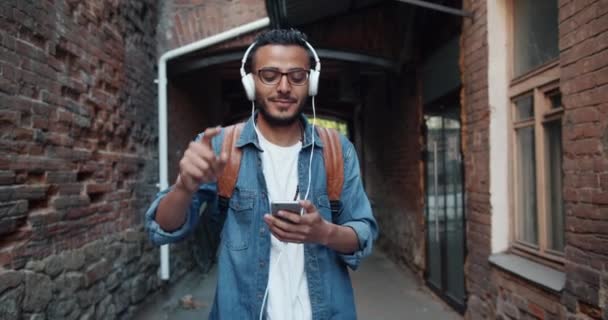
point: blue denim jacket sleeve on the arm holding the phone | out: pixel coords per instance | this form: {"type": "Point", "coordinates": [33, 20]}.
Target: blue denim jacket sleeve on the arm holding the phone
{"type": "Point", "coordinates": [356, 210]}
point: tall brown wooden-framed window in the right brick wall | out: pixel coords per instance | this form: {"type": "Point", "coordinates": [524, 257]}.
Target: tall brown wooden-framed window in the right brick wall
{"type": "Point", "coordinates": [536, 122]}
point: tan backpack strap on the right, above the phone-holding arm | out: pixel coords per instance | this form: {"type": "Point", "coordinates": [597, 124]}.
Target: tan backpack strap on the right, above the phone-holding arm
{"type": "Point", "coordinates": [334, 162]}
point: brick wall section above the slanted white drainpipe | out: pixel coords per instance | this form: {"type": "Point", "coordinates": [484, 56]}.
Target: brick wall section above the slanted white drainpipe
{"type": "Point", "coordinates": [186, 21]}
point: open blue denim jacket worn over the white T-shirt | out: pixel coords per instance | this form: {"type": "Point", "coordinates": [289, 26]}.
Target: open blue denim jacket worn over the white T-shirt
{"type": "Point", "coordinates": [244, 250]}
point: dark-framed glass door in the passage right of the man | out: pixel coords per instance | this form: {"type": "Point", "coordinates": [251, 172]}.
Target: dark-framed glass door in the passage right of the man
{"type": "Point", "coordinates": [444, 206]}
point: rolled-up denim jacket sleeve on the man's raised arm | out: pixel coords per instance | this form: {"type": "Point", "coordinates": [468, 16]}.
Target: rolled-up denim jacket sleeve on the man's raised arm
{"type": "Point", "coordinates": [206, 195]}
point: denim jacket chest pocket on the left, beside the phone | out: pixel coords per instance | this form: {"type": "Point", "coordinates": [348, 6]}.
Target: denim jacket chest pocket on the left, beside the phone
{"type": "Point", "coordinates": [237, 230]}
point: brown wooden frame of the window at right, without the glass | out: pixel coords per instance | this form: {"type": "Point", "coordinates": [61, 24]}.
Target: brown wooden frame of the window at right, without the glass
{"type": "Point", "coordinates": [540, 82]}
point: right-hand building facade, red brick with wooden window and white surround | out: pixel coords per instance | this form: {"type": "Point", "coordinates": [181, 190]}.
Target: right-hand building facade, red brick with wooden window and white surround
{"type": "Point", "coordinates": [536, 158]}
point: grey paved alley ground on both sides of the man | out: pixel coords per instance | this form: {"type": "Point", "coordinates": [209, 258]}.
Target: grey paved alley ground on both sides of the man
{"type": "Point", "coordinates": [381, 292]}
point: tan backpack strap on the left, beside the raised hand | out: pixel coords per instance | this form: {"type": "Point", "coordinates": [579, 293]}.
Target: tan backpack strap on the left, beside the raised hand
{"type": "Point", "coordinates": [227, 180]}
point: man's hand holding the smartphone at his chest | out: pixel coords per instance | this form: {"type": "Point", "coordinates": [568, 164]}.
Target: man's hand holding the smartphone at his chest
{"type": "Point", "coordinates": [307, 228]}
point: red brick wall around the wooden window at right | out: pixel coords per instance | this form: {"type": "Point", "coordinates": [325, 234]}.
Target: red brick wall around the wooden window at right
{"type": "Point", "coordinates": [583, 31]}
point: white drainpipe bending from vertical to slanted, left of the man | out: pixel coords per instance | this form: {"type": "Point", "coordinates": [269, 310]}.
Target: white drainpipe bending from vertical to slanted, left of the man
{"type": "Point", "coordinates": [162, 108]}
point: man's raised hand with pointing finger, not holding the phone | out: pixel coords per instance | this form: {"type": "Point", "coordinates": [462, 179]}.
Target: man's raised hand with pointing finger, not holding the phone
{"type": "Point", "coordinates": [199, 163]}
